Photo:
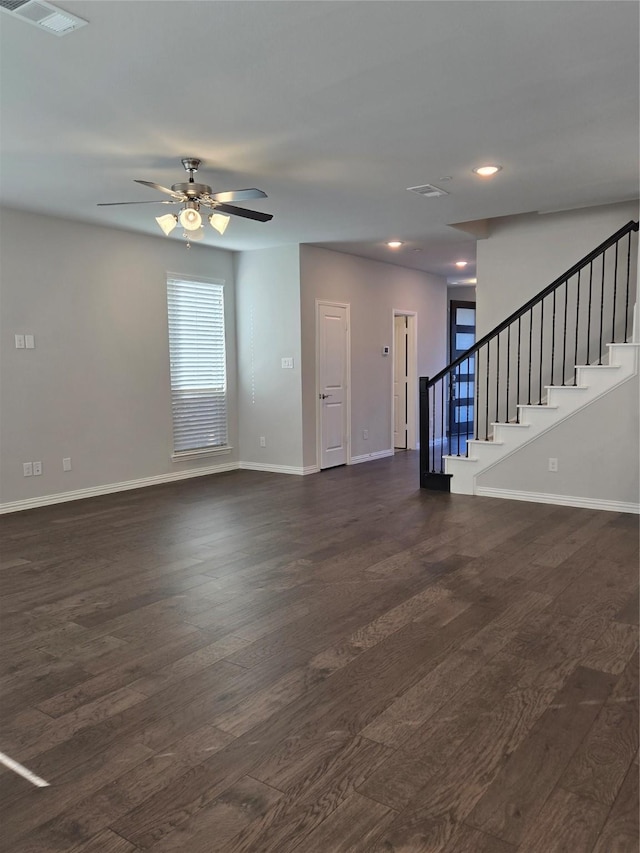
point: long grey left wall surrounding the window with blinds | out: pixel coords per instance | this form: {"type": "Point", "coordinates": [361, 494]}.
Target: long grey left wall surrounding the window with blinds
{"type": "Point", "coordinates": [96, 387]}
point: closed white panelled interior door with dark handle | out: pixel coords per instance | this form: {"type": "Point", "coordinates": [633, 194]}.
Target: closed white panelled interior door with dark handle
{"type": "Point", "coordinates": [332, 383]}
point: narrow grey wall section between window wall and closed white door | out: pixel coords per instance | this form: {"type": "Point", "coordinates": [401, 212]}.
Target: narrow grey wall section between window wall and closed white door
{"type": "Point", "coordinates": [268, 329]}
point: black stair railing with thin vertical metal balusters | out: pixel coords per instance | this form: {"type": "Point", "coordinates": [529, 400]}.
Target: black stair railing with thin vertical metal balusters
{"type": "Point", "coordinates": [568, 323]}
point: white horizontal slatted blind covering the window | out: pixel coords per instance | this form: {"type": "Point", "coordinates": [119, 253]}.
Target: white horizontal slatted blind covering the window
{"type": "Point", "coordinates": [198, 364]}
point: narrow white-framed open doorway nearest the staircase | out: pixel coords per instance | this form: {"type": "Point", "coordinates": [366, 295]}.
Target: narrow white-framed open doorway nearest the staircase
{"type": "Point", "coordinates": [405, 380]}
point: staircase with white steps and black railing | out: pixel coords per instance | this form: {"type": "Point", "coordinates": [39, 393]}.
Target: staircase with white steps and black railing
{"type": "Point", "coordinates": [549, 360]}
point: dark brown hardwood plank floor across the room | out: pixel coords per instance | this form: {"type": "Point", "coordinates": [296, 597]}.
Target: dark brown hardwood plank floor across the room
{"type": "Point", "coordinates": [340, 663]}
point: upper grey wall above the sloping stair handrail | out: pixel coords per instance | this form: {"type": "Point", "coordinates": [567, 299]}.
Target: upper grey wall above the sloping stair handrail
{"type": "Point", "coordinates": [525, 253]}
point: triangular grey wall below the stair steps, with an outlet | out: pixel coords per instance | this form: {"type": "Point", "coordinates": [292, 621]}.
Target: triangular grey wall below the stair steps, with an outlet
{"type": "Point", "coordinates": [597, 451]}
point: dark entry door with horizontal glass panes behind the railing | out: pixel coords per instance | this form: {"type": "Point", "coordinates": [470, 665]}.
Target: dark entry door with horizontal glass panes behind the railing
{"type": "Point", "coordinates": [462, 335]}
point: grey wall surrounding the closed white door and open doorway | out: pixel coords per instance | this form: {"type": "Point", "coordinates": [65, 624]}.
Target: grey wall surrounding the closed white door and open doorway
{"type": "Point", "coordinates": [373, 290]}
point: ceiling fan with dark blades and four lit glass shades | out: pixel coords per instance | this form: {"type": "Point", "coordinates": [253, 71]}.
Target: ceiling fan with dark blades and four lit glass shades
{"type": "Point", "coordinates": [193, 196]}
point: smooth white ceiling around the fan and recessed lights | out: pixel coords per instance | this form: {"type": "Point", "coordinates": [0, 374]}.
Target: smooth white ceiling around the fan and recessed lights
{"type": "Point", "coordinates": [332, 108]}
